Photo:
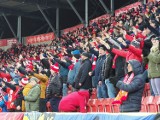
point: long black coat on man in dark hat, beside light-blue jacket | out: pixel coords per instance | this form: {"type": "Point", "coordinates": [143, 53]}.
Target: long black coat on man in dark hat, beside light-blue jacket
{"type": "Point", "coordinates": [83, 76]}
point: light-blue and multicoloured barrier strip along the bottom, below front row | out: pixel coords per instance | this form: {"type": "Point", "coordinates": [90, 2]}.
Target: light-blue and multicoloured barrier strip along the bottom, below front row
{"type": "Point", "coordinates": [76, 116]}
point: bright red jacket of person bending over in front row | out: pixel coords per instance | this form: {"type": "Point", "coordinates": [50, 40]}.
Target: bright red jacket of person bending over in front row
{"type": "Point", "coordinates": [74, 101]}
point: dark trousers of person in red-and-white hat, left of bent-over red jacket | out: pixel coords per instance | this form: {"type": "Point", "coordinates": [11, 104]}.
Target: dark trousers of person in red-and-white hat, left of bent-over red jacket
{"type": "Point", "coordinates": [54, 101]}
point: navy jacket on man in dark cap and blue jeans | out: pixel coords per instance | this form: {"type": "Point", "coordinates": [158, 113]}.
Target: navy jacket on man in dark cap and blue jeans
{"type": "Point", "coordinates": [98, 70]}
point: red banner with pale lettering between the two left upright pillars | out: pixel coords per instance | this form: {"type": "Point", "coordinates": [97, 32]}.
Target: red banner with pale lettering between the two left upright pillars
{"type": "Point", "coordinates": [40, 38]}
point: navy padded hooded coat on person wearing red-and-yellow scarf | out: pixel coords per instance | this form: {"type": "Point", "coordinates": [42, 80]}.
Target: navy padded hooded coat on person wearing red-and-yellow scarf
{"type": "Point", "coordinates": [134, 89]}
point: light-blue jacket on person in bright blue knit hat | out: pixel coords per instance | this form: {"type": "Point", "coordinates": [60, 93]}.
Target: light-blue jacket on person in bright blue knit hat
{"type": "Point", "coordinates": [73, 73]}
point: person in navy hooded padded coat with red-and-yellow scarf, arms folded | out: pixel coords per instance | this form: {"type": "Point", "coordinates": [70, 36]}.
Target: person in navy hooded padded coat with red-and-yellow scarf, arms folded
{"type": "Point", "coordinates": [131, 88]}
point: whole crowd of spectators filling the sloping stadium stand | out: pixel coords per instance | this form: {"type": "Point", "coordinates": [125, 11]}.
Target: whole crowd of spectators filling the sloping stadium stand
{"type": "Point", "coordinates": [116, 56]}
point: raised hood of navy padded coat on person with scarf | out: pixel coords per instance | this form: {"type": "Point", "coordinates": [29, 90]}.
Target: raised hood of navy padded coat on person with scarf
{"type": "Point", "coordinates": [136, 66]}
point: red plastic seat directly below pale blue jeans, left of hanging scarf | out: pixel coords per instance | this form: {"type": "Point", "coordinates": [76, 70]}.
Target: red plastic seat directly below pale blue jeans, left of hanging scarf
{"type": "Point", "coordinates": [107, 103]}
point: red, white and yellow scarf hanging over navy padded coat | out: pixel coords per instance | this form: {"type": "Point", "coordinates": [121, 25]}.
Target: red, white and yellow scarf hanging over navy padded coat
{"type": "Point", "coordinates": [122, 95]}
